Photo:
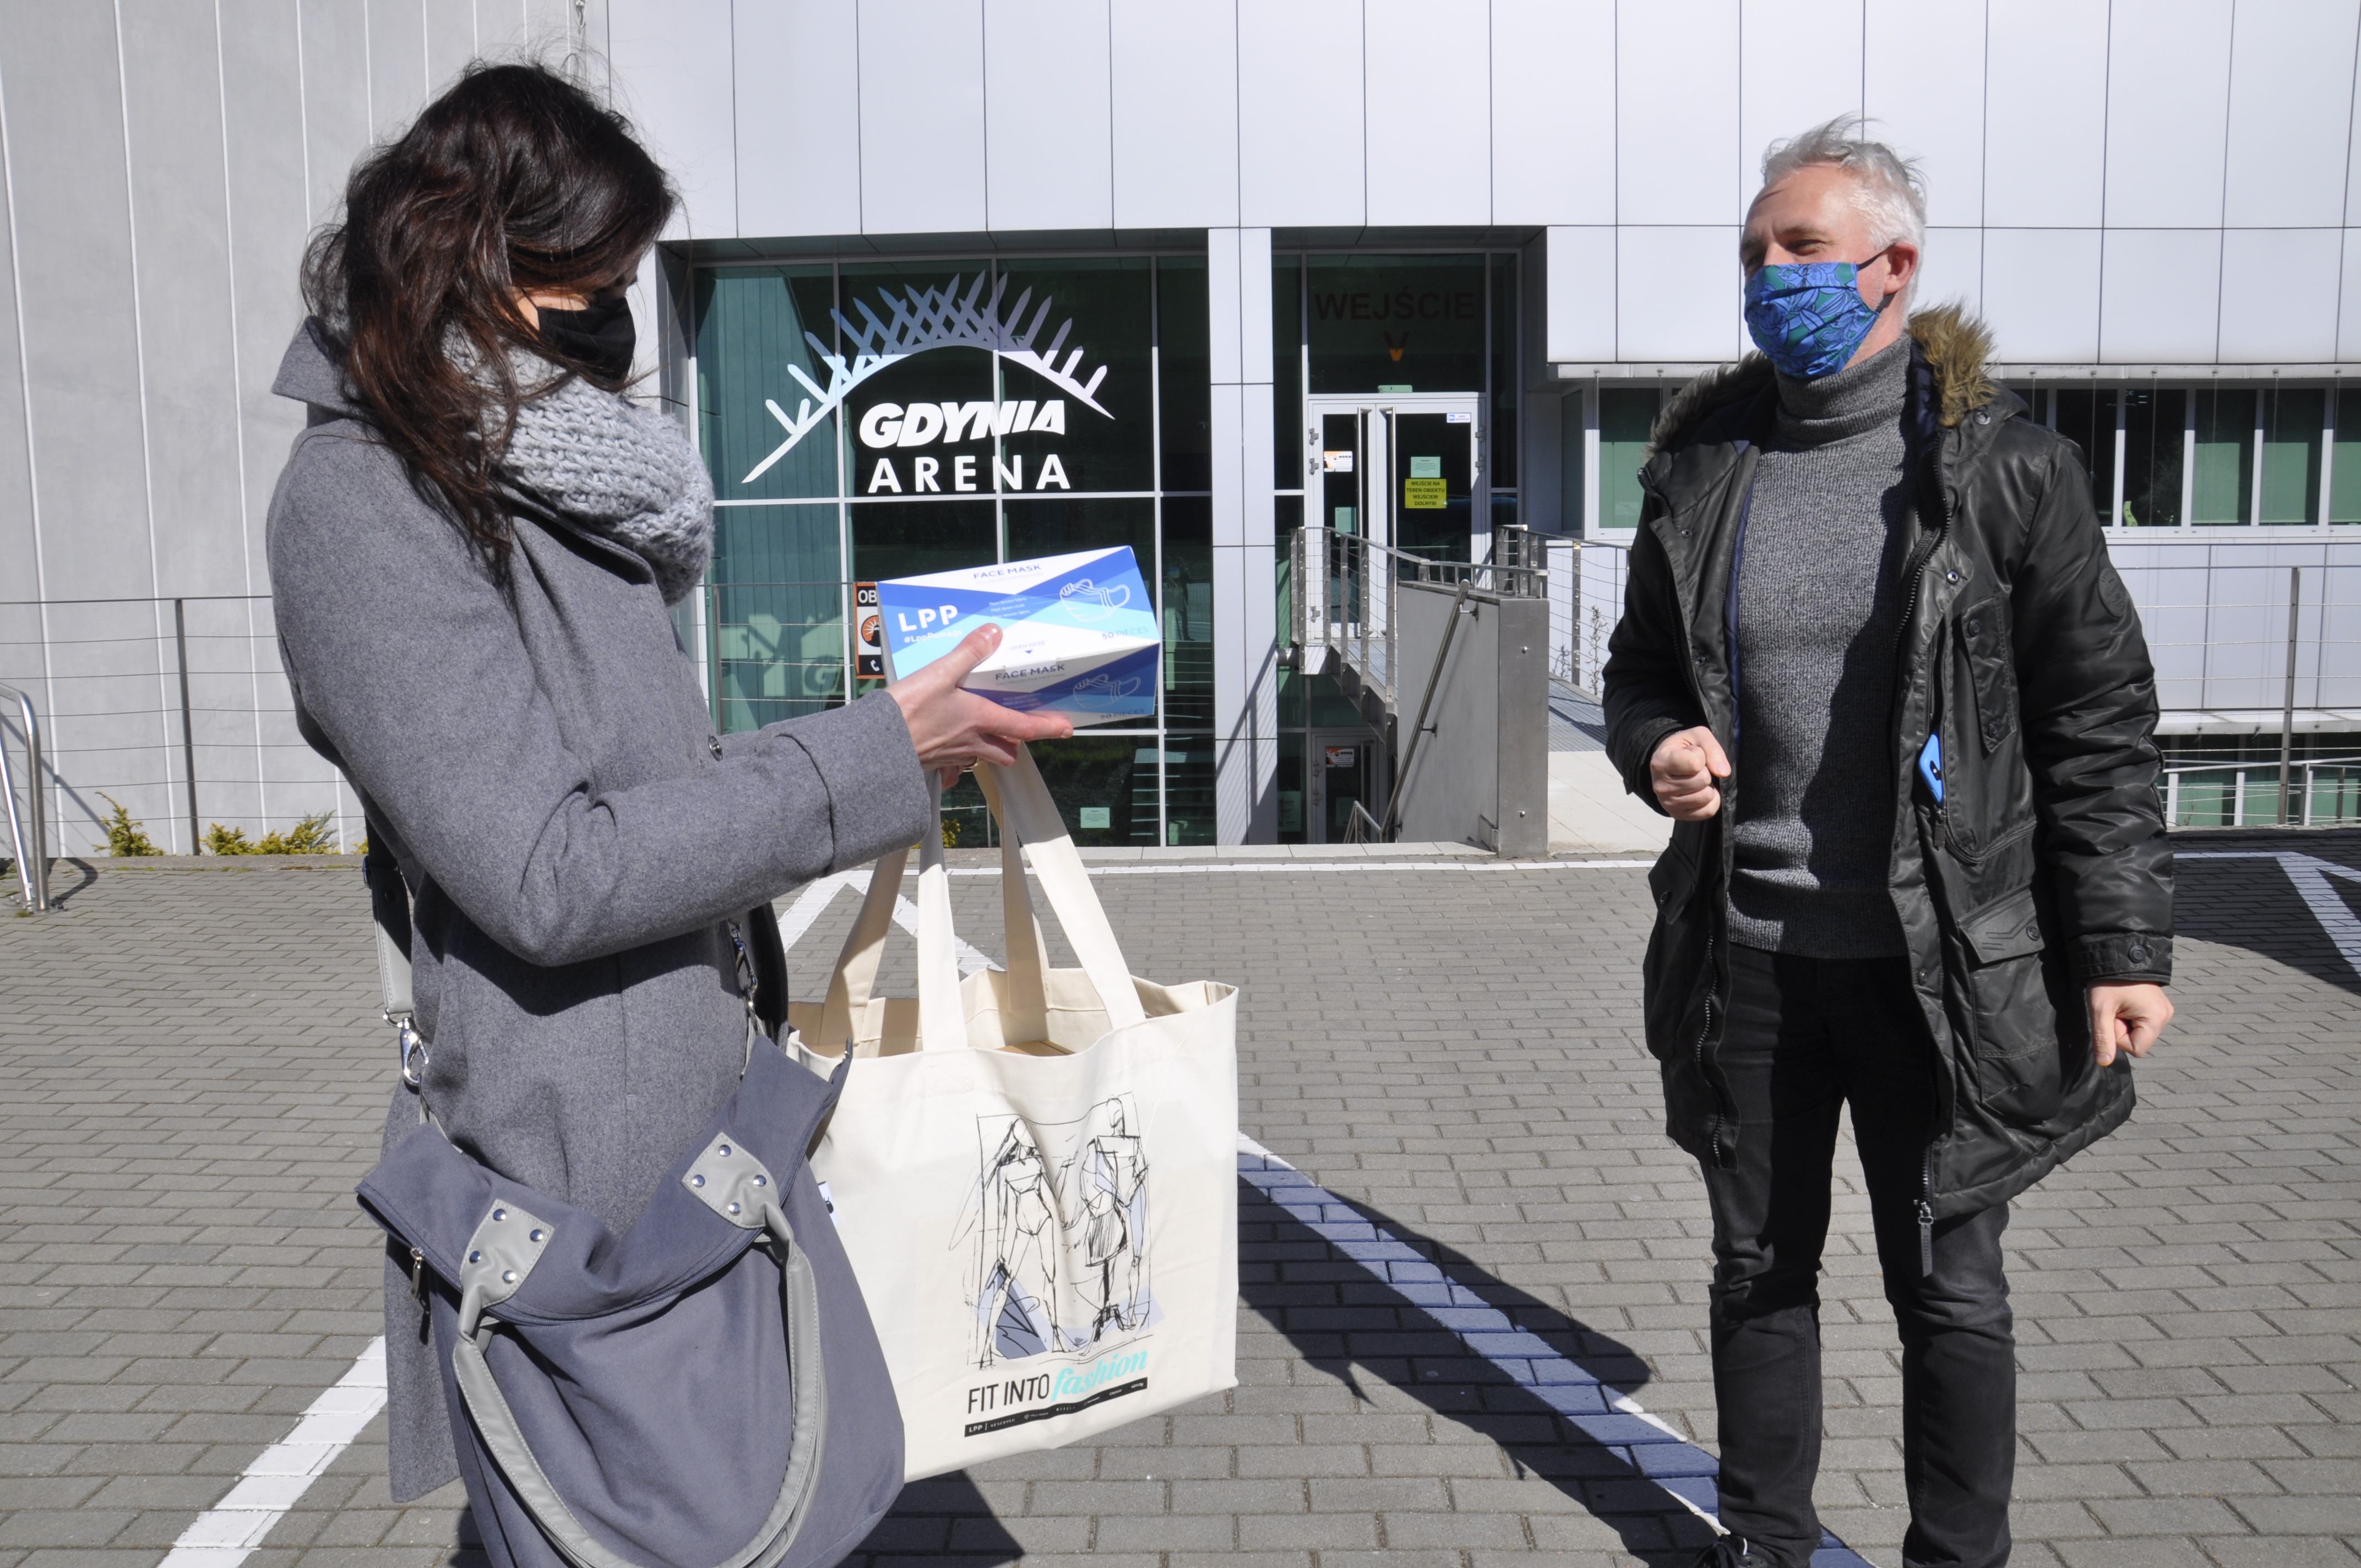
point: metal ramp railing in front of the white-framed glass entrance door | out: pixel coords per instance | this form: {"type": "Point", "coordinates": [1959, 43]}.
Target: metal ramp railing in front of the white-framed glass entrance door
{"type": "Point", "coordinates": [1345, 599]}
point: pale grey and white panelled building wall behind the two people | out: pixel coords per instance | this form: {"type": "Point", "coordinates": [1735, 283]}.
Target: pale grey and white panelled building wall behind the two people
{"type": "Point", "coordinates": [2117, 185]}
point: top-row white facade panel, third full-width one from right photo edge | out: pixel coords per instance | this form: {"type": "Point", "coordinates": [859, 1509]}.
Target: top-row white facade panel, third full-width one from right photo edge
{"type": "Point", "coordinates": [2046, 115]}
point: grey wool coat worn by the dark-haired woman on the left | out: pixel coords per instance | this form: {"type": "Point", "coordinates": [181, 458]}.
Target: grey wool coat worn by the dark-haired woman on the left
{"type": "Point", "coordinates": [575, 837]}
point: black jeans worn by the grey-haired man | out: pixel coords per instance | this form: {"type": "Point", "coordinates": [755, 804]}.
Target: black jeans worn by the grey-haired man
{"type": "Point", "coordinates": [1803, 1038]}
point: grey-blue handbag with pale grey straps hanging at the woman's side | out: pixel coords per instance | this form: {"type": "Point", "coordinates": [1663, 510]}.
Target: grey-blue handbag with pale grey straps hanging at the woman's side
{"type": "Point", "coordinates": [700, 1392]}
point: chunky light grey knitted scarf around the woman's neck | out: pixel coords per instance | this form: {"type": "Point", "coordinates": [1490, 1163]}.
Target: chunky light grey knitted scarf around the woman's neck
{"type": "Point", "coordinates": [620, 471]}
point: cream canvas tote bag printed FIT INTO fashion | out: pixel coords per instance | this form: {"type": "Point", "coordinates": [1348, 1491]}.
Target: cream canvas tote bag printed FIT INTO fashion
{"type": "Point", "coordinates": [1035, 1170]}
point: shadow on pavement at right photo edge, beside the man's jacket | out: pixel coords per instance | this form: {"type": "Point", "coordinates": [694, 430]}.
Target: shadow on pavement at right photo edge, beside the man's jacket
{"type": "Point", "coordinates": [2251, 903]}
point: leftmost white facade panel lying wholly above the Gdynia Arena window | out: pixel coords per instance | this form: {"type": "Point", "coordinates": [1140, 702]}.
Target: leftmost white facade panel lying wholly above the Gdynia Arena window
{"type": "Point", "coordinates": [799, 117]}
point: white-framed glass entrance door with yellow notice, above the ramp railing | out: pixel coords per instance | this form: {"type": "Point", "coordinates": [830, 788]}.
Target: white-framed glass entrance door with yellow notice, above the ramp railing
{"type": "Point", "coordinates": [1404, 471]}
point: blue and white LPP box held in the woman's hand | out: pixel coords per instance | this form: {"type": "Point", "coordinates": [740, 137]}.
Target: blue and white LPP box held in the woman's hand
{"type": "Point", "coordinates": [1078, 632]}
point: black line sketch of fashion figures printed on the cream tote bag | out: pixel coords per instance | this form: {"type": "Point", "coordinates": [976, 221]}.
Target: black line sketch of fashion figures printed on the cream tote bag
{"type": "Point", "coordinates": [1059, 1243]}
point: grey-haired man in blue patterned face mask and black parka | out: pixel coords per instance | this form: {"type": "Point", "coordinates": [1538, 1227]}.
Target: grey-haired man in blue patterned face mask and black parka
{"type": "Point", "coordinates": [1883, 677]}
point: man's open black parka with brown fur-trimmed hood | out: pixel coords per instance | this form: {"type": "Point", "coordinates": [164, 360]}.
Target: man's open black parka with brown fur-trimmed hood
{"type": "Point", "coordinates": [2046, 863]}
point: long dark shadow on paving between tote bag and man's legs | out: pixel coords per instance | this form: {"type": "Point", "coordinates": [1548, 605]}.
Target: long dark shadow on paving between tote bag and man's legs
{"type": "Point", "coordinates": [1349, 1324]}
